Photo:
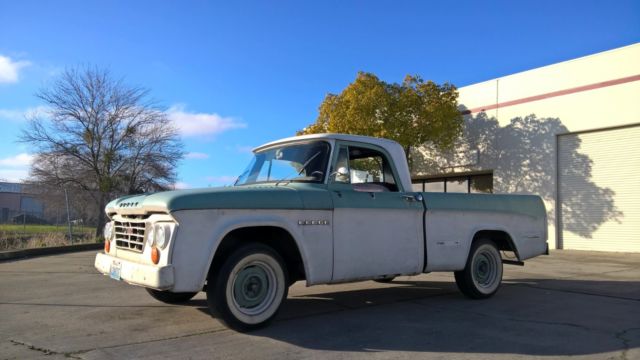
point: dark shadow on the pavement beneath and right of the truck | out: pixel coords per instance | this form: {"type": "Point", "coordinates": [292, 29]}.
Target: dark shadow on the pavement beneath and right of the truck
{"type": "Point", "coordinates": [528, 317]}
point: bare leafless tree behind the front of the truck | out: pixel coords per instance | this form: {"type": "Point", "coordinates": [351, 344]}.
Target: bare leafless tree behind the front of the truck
{"type": "Point", "coordinates": [101, 137]}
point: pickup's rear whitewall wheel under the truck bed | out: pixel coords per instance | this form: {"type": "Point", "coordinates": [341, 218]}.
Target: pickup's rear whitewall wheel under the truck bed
{"type": "Point", "coordinates": [482, 274]}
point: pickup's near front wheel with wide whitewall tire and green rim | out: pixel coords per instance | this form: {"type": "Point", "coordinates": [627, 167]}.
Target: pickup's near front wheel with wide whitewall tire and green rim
{"type": "Point", "coordinates": [249, 288]}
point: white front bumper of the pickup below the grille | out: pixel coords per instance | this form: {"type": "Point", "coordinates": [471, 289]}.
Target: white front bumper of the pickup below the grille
{"type": "Point", "coordinates": [156, 277]}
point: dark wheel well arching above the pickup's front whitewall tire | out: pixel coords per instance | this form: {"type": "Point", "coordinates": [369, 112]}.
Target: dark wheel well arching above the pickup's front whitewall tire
{"type": "Point", "coordinates": [277, 238]}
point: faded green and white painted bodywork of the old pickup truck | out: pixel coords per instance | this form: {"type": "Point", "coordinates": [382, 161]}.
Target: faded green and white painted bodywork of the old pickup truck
{"type": "Point", "coordinates": [371, 234]}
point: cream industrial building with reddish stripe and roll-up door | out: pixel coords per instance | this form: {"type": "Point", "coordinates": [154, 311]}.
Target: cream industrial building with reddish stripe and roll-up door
{"type": "Point", "coordinates": [569, 132]}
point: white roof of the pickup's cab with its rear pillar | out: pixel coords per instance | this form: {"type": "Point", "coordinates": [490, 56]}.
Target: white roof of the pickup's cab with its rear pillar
{"type": "Point", "coordinates": [395, 150]}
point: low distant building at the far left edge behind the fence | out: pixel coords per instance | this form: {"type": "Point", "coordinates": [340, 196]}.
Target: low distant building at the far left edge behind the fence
{"type": "Point", "coordinates": [16, 202]}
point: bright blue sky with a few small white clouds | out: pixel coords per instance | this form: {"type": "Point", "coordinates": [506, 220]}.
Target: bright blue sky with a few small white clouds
{"type": "Point", "coordinates": [239, 74]}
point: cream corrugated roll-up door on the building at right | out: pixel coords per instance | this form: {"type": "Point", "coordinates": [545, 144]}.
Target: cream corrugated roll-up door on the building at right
{"type": "Point", "coordinates": [599, 190]}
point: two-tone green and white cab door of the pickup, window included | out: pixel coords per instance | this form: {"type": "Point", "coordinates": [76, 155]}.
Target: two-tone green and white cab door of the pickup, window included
{"type": "Point", "coordinates": [377, 227]}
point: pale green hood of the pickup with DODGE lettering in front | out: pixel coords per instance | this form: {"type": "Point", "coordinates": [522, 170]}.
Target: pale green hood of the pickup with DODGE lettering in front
{"type": "Point", "coordinates": [236, 197]}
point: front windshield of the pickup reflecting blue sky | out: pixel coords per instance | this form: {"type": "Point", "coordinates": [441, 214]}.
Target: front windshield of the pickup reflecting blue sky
{"type": "Point", "coordinates": [305, 162]}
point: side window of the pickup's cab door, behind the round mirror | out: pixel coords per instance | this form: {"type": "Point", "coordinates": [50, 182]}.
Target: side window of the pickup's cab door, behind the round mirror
{"type": "Point", "coordinates": [368, 170]}
